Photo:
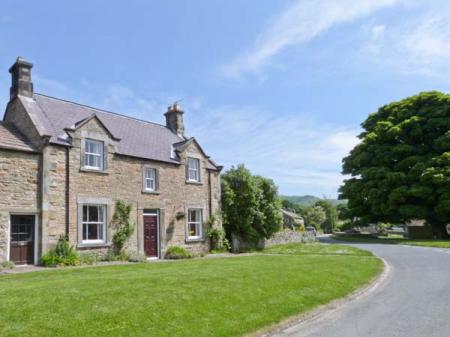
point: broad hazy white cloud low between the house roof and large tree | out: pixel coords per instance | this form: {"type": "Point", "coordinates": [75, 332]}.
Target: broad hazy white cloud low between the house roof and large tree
{"type": "Point", "coordinates": [301, 154]}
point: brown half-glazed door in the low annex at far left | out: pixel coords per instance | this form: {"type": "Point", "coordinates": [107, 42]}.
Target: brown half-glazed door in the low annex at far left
{"type": "Point", "coordinates": [22, 239]}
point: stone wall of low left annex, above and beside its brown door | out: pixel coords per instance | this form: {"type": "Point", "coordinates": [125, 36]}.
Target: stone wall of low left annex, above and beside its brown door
{"type": "Point", "coordinates": [19, 186]}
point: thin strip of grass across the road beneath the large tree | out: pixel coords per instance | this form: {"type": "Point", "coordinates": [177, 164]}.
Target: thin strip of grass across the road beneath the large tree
{"type": "Point", "coordinates": [395, 240]}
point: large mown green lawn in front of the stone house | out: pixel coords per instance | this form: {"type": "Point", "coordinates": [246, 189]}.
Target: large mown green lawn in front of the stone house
{"type": "Point", "coordinates": [201, 297]}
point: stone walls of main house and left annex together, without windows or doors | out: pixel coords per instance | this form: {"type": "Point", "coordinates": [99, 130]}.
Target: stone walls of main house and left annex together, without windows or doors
{"type": "Point", "coordinates": [66, 186]}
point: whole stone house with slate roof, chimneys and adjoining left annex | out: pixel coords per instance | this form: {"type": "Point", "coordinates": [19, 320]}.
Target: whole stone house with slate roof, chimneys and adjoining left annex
{"type": "Point", "coordinates": [63, 166]}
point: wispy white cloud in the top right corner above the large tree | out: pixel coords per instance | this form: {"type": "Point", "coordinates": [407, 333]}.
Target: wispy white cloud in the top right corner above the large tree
{"type": "Point", "coordinates": [417, 45]}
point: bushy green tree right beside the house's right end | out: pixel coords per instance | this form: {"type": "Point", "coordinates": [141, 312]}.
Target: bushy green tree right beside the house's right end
{"type": "Point", "coordinates": [251, 208]}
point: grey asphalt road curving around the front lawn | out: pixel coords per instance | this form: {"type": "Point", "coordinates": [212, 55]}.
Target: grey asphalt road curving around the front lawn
{"type": "Point", "coordinates": [413, 301]}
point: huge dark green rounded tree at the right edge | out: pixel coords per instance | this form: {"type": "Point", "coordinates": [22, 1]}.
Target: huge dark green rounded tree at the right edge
{"type": "Point", "coordinates": [400, 170]}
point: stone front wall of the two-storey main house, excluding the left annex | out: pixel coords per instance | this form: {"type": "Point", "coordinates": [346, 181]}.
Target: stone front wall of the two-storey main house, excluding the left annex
{"type": "Point", "coordinates": [123, 180]}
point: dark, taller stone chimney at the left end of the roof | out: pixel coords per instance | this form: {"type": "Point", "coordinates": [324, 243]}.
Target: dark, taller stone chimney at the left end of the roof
{"type": "Point", "coordinates": [21, 79]}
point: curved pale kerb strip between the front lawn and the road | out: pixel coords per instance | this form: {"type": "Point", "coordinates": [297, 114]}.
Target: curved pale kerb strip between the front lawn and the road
{"type": "Point", "coordinates": [288, 326]}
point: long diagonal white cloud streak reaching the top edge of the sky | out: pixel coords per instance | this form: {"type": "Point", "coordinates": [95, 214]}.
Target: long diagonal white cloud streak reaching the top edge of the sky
{"type": "Point", "coordinates": [299, 23]}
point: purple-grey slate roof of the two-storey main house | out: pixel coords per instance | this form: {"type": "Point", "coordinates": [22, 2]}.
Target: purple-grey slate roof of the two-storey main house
{"type": "Point", "coordinates": [138, 138]}
